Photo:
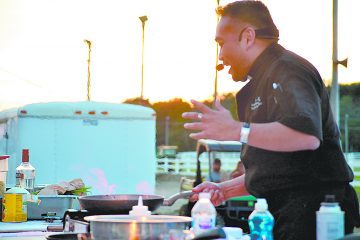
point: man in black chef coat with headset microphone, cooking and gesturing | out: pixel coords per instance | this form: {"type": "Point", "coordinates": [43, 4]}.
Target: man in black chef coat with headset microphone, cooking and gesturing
{"type": "Point", "coordinates": [291, 148]}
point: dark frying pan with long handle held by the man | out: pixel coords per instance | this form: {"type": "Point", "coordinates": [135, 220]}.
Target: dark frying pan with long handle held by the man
{"type": "Point", "coordinates": [123, 203]}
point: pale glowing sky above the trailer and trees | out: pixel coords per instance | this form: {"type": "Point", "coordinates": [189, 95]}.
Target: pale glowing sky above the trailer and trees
{"type": "Point", "coordinates": [43, 56]}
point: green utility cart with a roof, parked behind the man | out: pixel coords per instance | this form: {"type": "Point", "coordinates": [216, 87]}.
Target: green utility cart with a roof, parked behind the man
{"type": "Point", "coordinates": [235, 211]}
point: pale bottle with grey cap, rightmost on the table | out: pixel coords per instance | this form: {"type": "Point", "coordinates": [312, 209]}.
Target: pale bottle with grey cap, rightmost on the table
{"type": "Point", "coordinates": [329, 220]}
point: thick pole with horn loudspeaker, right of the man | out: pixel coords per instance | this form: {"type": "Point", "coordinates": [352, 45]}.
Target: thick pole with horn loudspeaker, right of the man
{"type": "Point", "coordinates": [334, 94]}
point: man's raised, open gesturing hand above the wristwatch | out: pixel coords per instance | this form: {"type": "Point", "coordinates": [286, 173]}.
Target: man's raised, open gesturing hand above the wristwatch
{"type": "Point", "coordinates": [216, 124]}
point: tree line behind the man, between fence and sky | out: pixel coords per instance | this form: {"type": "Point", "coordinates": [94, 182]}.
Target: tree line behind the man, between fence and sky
{"type": "Point", "coordinates": [170, 130]}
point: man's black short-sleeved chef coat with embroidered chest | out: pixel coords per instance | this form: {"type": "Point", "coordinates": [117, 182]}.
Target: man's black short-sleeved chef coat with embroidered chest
{"type": "Point", "coordinates": [286, 88]}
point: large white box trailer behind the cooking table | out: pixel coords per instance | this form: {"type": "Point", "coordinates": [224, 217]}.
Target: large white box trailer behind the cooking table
{"type": "Point", "coordinates": [110, 146]}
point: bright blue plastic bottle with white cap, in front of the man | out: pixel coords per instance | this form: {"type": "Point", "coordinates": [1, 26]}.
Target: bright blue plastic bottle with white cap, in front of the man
{"type": "Point", "coordinates": [261, 222]}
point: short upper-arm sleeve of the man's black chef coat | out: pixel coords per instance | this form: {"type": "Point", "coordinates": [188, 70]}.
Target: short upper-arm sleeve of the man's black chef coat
{"type": "Point", "coordinates": [298, 95]}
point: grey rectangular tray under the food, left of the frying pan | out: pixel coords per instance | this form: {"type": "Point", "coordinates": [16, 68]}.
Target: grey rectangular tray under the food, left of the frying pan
{"type": "Point", "coordinates": [52, 205]}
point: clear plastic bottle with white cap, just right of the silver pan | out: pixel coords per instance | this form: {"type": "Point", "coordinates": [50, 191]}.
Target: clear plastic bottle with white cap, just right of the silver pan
{"type": "Point", "coordinates": [203, 214]}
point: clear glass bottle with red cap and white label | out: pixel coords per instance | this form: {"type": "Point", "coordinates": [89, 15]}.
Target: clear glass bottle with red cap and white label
{"type": "Point", "coordinates": [25, 173]}
